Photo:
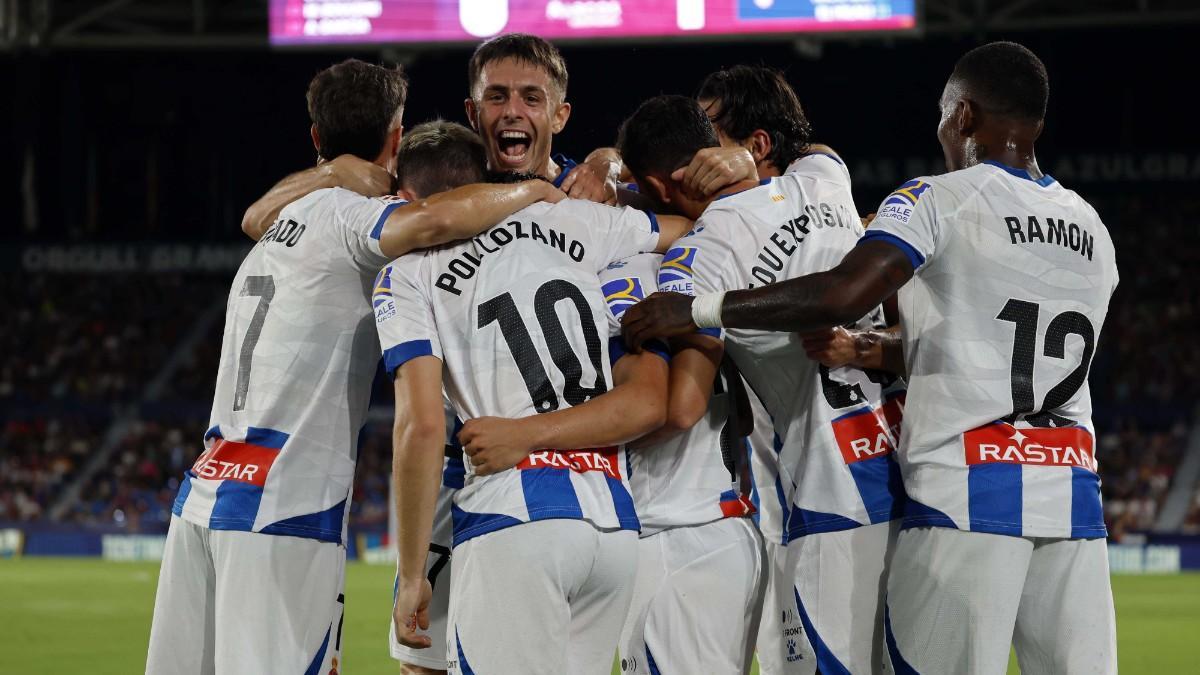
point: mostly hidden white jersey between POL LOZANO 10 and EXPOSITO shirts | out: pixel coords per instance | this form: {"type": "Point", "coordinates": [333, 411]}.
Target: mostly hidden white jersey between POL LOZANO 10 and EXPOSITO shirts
{"type": "Point", "coordinates": [691, 479]}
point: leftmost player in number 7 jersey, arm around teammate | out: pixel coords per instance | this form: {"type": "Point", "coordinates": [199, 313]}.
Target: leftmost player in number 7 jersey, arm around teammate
{"type": "Point", "coordinates": [262, 513]}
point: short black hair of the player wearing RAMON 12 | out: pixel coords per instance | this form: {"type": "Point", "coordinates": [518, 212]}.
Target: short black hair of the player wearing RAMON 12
{"type": "Point", "coordinates": [1006, 80]}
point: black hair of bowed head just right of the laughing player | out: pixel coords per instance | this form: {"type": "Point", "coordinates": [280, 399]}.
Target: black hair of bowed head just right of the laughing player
{"type": "Point", "coordinates": [663, 135]}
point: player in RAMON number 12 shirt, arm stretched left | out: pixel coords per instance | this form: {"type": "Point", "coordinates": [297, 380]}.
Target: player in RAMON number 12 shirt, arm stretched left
{"type": "Point", "coordinates": [1012, 276]}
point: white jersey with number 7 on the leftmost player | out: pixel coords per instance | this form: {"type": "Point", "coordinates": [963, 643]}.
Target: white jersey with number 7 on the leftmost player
{"type": "Point", "coordinates": [297, 363]}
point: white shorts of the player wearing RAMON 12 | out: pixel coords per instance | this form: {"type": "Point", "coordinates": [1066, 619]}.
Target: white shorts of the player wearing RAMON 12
{"type": "Point", "coordinates": [958, 600]}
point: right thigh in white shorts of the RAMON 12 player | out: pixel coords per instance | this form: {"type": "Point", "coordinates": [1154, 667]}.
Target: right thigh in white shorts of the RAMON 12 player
{"type": "Point", "coordinates": [1066, 623]}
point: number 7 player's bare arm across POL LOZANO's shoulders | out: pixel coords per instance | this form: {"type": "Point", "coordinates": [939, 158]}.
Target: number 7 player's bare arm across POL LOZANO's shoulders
{"type": "Point", "coordinates": [459, 214]}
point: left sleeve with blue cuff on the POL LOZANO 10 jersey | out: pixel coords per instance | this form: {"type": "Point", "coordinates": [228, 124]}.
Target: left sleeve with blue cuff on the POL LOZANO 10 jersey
{"type": "Point", "coordinates": [404, 315]}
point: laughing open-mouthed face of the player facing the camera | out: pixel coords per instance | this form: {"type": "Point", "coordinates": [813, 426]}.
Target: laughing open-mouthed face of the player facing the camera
{"type": "Point", "coordinates": [518, 111]}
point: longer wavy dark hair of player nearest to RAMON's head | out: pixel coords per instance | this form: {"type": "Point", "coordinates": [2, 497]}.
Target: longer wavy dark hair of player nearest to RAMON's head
{"type": "Point", "coordinates": [754, 98]}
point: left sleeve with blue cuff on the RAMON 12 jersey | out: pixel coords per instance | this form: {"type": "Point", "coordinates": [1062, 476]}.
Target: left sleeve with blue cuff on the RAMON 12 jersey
{"type": "Point", "coordinates": [908, 219]}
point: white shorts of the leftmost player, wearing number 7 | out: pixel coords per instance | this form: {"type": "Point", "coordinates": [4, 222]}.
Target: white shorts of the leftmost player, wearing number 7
{"type": "Point", "coordinates": [243, 602]}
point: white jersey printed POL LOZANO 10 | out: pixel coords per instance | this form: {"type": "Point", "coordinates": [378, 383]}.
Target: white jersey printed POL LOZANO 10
{"type": "Point", "coordinates": [518, 319]}
